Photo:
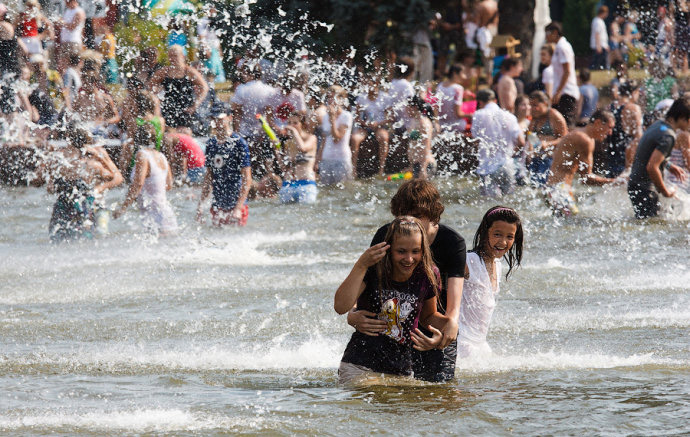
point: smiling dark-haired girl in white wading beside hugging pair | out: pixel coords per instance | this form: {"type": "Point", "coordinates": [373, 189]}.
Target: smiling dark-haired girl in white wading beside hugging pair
{"type": "Point", "coordinates": [499, 236]}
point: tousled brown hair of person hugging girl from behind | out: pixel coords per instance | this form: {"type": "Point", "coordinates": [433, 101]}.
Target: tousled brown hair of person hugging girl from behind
{"type": "Point", "coordinates": [417, 197]}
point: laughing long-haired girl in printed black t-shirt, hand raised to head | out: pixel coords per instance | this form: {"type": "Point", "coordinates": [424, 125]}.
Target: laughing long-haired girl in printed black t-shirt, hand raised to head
{"type": "Point", "coordinates": [397, 280]}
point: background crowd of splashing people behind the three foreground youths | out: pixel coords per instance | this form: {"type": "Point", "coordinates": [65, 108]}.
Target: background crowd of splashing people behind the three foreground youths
{"type": "Point", "coordinates": [286, 129]}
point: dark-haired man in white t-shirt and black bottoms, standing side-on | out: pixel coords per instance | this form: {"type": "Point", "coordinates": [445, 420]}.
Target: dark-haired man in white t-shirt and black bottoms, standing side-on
{"type": "Point", "coordinates": [566, 93]}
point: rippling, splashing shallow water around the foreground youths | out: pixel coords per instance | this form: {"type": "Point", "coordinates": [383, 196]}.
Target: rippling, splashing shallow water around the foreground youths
{"type": "Point", "coordinates": [233, 331]}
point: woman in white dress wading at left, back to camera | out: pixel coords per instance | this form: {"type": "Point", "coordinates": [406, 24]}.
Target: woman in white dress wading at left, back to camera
{"type": "Point", "coordinates": [151, 178]}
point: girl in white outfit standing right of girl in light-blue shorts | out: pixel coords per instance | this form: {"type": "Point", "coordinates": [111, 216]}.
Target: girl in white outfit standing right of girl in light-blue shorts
{"type": "Point", "coordinates": [334, 159]}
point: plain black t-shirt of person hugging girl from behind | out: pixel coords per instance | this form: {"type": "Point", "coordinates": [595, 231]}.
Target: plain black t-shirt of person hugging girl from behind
{"type": "Point", "coordinates": [448, 251]}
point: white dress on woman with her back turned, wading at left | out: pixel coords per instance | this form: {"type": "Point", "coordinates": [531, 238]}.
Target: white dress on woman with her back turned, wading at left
{"type": "Point", "coordinates": [157, 213]}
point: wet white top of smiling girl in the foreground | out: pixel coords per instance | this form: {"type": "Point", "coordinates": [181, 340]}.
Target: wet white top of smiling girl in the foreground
{"type": "Point", "coordinates": [477, 307]}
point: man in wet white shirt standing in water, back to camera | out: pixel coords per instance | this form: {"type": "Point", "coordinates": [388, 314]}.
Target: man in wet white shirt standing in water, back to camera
{"type": "Point", "coordinates": [499, 136]}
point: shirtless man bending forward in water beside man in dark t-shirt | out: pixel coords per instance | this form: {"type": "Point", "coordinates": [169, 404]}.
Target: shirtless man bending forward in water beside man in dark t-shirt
{"type": "Point", "coordinates": [574, 153]}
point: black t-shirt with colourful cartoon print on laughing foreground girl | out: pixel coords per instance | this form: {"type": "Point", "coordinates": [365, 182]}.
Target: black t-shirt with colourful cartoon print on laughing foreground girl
{"type": "Point", "coordinates": [400, 305]}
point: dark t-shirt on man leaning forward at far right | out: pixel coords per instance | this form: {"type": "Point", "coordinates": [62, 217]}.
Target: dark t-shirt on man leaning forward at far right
{"type": "Point", "coordinates": [659, 136]}
